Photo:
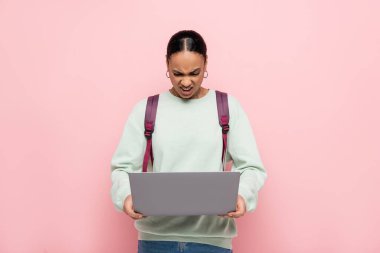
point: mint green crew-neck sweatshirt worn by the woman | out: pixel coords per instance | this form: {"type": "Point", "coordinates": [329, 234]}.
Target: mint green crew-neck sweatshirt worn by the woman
{"type": "Point", "coordinates": [188, 137]}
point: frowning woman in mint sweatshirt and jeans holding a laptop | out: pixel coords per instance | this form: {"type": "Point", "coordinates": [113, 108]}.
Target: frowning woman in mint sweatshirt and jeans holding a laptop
{"type": "Point", "coordinates": [187, 135]}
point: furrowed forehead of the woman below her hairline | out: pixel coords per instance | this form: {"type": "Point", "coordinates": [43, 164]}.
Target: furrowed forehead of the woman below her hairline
{"type": "Point", "coordinates": [186, 60]}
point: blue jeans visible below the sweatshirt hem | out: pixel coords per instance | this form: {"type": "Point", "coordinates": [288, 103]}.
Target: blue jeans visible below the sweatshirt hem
{"type": "Point", "coordinates": [146, 246]}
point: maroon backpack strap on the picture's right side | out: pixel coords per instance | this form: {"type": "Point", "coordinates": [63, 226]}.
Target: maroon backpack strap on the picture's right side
{"type": "Point", "coordinates": [224, 118]}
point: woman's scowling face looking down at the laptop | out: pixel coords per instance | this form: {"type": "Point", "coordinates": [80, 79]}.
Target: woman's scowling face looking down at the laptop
{"type": "Point", "coordinates": [186, 70]}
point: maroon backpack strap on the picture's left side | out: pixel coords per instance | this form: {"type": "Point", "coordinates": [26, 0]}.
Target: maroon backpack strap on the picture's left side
{"type": "Point", "coordinates": [150, 118]}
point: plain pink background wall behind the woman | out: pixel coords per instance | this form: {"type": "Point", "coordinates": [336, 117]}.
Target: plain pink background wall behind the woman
{"type": "Point", "coordinates": [306, 72]}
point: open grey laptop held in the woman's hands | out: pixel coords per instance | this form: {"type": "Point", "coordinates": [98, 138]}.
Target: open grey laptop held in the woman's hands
{"type": "Point", "coordinates": [184, 193]}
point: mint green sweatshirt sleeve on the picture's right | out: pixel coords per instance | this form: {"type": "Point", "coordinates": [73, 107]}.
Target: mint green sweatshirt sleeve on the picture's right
{"type": "Point", "coordinates": [242, 149]}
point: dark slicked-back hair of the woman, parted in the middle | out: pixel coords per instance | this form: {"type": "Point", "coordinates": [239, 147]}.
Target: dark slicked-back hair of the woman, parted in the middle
{"type": "Point", "coordinates": [186, 40]}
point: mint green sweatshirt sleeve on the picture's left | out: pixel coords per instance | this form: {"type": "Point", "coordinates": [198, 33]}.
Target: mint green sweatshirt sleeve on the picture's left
{"type": "Point", "coordinates": [128, 156]}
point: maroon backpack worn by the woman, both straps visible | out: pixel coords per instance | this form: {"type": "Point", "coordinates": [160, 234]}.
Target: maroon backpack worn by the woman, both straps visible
{"type": "Point", "coordinates": [150, 118]}
